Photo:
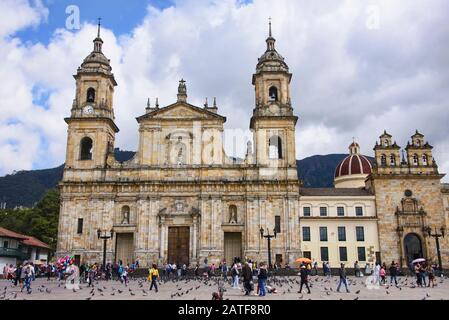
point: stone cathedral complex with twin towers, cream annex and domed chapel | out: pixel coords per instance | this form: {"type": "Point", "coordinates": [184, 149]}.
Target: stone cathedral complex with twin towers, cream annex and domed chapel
{"type": "Point", "coordinates": [181, 199]}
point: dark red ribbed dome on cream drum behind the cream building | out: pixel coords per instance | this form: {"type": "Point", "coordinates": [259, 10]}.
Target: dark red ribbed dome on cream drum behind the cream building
{"type": "Point", "coordinates": [352, 170]}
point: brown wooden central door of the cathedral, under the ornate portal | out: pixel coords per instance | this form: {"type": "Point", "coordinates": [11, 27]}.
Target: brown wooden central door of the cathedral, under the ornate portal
{"type": "Point", "coordinates": [178, 245]}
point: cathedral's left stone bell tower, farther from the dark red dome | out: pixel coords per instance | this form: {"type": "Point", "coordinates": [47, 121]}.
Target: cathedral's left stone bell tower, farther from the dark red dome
{"type": "Point", "coordinates": [91, 127]}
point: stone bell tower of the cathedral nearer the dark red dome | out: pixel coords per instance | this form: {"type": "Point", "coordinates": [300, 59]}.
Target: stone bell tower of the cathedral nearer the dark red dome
{"type": "Point", "coordinates": [273, 122]}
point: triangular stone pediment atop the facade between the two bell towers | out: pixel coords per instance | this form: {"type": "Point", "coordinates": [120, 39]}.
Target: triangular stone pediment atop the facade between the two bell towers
{"type": "Point", "coordinates": [181, 111]}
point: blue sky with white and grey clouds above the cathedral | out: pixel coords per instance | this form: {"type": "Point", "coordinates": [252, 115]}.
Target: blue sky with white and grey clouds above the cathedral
{"type": "Point", "coordinates": [359, 67]}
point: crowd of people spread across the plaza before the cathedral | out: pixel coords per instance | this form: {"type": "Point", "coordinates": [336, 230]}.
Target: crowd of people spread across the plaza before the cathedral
{"type": "Point", "coordinates": [245, 272]}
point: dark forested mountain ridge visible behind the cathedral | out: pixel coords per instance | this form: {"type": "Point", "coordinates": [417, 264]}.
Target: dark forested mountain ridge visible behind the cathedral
{"type": "Point", "coordinates": [26, 188]}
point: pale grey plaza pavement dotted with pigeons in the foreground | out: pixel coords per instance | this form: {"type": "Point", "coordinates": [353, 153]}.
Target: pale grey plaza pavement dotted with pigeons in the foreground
{"type": "Point", "coordinates": [287, 289]}
